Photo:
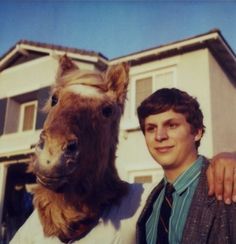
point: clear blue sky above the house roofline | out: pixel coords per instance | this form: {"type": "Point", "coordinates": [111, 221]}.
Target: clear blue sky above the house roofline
{"type": "Point", "coordinates": [113, 28]}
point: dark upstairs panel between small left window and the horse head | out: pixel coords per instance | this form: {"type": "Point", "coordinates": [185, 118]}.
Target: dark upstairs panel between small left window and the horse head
{"type": "Point", "coordinates": [42, 97]}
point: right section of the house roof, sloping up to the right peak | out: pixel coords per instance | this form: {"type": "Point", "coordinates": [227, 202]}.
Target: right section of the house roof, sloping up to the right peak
{"type": "Point", "coordinates": [213, 40]}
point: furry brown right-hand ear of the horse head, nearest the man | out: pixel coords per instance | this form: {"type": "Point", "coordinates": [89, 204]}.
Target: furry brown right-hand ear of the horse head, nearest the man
{"type": "Point", "coordinates": [117, 77]}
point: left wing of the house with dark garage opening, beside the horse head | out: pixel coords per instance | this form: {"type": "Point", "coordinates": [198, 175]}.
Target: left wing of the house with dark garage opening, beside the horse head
{"type": "Point", "coordinates": [26, 73]}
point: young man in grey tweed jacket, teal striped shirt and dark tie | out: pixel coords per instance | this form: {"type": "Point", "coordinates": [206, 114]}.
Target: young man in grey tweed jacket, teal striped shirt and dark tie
{"type": "Point", "coordinates": [172, 123]}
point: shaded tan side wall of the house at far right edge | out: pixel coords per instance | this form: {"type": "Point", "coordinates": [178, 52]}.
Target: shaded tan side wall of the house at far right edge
{"type": "Point", "coordinates": [223, 97]}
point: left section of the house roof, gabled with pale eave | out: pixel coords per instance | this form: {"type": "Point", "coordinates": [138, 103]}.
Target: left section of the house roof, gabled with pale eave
{"type": "Point", "coordinates": [26, 50]}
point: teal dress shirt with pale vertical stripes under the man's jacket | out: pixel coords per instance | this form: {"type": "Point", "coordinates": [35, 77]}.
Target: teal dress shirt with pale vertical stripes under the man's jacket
{"type": "Point", "coordinates": [185, 186]}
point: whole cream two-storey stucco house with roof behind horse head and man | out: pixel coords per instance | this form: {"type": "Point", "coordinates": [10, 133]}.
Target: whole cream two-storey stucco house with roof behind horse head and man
{"type": "Point", "coordinates": [204, 66]}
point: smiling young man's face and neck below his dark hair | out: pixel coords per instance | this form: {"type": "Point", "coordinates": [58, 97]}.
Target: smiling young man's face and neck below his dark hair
{"type": "Point", "coordinates": [170, 141]}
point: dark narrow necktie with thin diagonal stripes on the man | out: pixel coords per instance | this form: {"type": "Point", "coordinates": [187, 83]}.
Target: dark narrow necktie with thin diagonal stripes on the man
{"type": "Point", "coordinates": [165, 212]}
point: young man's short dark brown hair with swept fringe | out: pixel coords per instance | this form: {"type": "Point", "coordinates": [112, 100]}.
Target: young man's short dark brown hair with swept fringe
{"type": "Point", "coordinates": [176, 100]}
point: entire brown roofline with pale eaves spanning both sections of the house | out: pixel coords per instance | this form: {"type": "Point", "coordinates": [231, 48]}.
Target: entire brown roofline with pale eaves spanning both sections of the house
{"type": "Point", "coordinates": [26, 50]}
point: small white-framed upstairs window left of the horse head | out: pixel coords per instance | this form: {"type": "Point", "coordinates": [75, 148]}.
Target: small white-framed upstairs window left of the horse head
{"type": "Point", "coordinates": [28, 116]}
